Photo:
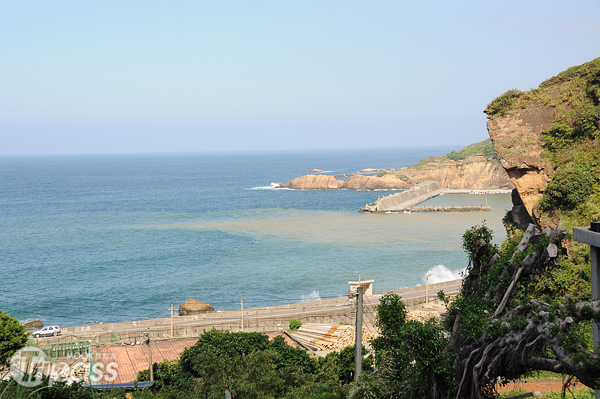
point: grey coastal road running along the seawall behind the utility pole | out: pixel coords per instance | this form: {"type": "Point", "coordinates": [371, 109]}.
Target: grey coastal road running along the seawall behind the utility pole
{"type": "Point", "coordinates": [284, 311]}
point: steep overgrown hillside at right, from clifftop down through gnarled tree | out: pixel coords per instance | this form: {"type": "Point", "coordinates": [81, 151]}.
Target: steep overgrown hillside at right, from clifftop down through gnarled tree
{"type": "Point", "coordinates": [527, 306]}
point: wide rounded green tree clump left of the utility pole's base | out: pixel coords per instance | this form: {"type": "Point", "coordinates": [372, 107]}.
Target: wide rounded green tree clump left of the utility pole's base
{"type": "Point", "coordinates": [251, 366]}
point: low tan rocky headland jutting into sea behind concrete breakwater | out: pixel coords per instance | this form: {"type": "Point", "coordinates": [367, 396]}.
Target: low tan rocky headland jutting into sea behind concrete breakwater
{"type": "Point", "coordinates": [474, 167]}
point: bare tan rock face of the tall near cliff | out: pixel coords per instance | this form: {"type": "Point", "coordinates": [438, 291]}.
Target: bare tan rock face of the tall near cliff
{"type": "Point", "coordinates": [517, 143]}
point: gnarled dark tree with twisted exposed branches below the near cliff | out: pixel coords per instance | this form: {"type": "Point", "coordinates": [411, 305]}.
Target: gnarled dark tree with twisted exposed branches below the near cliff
{"type": "Point", "coordinates": [503, 327]}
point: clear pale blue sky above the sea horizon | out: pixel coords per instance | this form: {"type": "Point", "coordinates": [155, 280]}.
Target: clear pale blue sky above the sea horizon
{"type": "Point", "coordinates": [191, 76]}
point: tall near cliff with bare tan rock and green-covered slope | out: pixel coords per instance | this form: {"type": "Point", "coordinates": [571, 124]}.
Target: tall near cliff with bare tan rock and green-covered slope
{"type": "Point", "coordinates": [550, 131]}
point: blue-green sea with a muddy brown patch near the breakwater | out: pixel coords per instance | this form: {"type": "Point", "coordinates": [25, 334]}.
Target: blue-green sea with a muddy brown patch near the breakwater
{"type": "Point", "coordinates": [98, 239]}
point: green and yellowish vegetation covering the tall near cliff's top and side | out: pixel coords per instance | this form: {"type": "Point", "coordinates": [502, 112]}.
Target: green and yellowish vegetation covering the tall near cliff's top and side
{"type": "Point", "coordinates": [570, 144]}
